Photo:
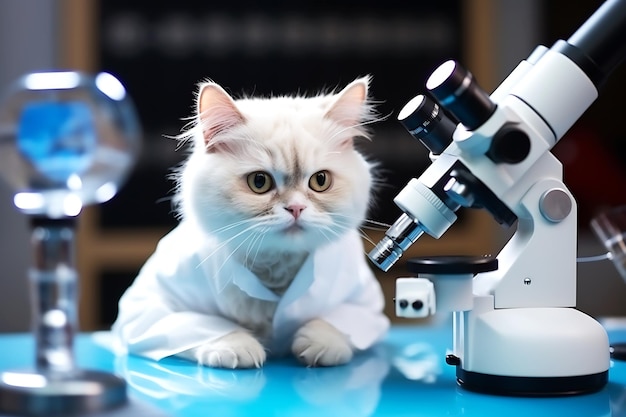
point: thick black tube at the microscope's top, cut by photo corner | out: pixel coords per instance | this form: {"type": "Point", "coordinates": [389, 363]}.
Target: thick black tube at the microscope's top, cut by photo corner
{"type": "Point", "coordinates": [599, 45]}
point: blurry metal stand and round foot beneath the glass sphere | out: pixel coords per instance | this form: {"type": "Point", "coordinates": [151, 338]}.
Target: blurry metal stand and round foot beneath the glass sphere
{"type": "Point", "coordinates": [56, 386]}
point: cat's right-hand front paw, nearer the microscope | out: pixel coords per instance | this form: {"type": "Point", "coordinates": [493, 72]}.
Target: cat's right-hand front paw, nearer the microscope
{"type": "Point", "coordinates": [318, 343]}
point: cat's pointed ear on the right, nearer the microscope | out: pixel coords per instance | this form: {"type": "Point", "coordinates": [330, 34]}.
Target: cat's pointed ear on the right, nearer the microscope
{"type": "Point", "coordinates": [349, 107]}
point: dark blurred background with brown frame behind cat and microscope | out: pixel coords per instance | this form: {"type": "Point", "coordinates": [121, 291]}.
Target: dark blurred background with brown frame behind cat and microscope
{"type": "Point", "coordinates": [162, 49]}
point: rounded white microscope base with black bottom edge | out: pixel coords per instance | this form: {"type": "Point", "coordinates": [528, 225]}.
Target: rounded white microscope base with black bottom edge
{"type": "Point", "coordinates": [529, 351]}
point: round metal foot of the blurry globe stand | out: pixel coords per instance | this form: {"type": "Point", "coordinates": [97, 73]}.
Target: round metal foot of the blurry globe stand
{"type": "Point", "coordinates": [38, 394]}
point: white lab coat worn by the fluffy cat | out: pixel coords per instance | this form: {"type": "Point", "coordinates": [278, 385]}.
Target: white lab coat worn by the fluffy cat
{"type": "Point", "coordinates": [175, 303]}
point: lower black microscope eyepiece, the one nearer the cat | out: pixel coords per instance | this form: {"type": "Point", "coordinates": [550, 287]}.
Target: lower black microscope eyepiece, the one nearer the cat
{"type": "Point", "coordinates": [426, 121]}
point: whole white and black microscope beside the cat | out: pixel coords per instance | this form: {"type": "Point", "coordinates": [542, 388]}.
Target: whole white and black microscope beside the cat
{"type": "Point", "coordinates": [515, 328]}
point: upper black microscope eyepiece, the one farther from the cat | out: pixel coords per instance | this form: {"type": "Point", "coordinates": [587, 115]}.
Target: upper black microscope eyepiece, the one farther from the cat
{"type": "Point", "coordinates": [456, 89]}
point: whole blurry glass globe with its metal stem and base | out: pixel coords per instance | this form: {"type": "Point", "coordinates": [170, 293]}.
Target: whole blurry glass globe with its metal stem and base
{"type": "Point", "coordinates": [71, 139]}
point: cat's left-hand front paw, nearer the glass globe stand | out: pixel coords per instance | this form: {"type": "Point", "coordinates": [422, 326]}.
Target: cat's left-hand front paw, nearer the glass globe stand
{"type": "Point", "coordinates": [235, 350]}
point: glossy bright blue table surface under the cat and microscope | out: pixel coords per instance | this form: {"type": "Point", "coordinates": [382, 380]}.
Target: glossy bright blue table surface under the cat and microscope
{"type": "Point", "coordinates": [406, 375]}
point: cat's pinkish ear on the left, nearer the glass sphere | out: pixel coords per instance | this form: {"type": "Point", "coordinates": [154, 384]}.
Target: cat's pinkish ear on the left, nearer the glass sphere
{"type": "Point", "coordinates": [217, 111]}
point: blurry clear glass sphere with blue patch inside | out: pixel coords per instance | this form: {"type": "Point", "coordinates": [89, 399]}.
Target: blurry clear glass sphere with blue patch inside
{"type": "Point", "coordinates": [67, 140]}
